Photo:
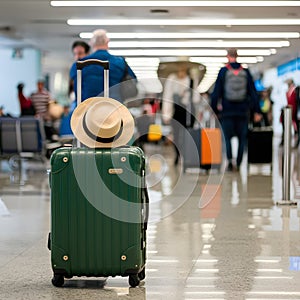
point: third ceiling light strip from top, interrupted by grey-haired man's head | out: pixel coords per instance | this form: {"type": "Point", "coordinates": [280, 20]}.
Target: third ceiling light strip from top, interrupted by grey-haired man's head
{"type": "Point", "coordinates": [196, 35]}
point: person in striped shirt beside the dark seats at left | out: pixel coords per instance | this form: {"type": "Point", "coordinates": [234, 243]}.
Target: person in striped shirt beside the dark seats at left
{"type": "Point", "coordinates": [40, 100]}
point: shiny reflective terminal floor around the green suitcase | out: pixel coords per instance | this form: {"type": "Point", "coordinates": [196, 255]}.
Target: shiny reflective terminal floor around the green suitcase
{"type": "Point", "coordinates": [210, 236]}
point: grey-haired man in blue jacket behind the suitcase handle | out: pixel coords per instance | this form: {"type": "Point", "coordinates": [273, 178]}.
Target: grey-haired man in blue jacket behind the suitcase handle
{"type": "Point", "coordinates": [92, 76]}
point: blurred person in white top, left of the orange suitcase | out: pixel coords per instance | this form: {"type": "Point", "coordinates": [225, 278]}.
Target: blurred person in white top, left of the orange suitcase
{"type": "Point", "coordinates": [179, 99]}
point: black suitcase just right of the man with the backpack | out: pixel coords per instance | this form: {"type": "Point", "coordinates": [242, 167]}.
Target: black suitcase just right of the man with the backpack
{"type": "Point", "coordinates": [260, 145]}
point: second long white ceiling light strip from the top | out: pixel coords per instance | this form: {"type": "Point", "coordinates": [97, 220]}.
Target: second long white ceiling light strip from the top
{"type": "Point", "coordinates": [181, 22]}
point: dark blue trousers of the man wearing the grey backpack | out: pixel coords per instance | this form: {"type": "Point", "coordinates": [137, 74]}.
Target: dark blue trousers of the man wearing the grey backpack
{"type": "Point", "coordinates": [235, 126]}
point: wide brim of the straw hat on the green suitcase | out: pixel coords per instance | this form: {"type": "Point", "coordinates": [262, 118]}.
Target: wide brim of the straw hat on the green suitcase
{"type": "Point", "coordinates": [79, 131]}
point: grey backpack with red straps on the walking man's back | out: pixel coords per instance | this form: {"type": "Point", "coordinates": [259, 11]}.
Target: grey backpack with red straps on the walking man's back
{"type": "Point", "coordinates": [235, 87]}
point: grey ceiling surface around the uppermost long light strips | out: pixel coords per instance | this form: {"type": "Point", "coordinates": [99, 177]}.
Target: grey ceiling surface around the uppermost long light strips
{"type": "Point", "coordinates": [35, 23]}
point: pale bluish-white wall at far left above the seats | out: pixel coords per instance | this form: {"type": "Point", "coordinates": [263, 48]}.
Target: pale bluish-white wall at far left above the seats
{"type": "Point", "coordinates": [14, 70]}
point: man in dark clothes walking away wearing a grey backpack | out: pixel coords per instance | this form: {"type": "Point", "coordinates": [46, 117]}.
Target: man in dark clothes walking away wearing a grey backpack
{"type": "Point", "coordinates": [233, 96]}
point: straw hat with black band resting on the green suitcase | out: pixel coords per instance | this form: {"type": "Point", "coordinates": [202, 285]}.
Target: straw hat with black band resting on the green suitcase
{"type": "Point", "coordinates": [101, 122]}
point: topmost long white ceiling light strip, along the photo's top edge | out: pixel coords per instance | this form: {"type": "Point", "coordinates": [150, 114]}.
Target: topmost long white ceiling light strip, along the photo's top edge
{"type": "Point", "coordinates": [176, 3]}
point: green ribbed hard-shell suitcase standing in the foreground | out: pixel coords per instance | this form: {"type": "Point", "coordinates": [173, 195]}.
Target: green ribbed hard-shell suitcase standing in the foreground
{"type": "Point", "coordinates": [99, 212]}
